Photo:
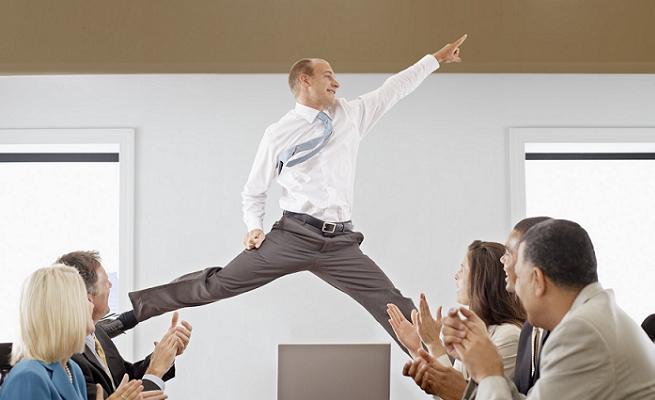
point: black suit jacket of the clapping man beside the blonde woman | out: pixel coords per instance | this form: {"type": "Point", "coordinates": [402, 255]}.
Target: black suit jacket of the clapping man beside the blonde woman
{"type": "Point", "coordinates": [94, 373]}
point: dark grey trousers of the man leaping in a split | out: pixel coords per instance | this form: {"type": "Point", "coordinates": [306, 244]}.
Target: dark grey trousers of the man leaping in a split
{"type": "Point", "coordinates": [291, 246]}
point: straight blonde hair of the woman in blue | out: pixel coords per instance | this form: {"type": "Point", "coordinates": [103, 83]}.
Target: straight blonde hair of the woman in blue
{"type": "Point", "coordinates": [54, 315]}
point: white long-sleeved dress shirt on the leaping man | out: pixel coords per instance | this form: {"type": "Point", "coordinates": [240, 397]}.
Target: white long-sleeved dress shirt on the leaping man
{"type": "Point", "coordinates": [323, 185]}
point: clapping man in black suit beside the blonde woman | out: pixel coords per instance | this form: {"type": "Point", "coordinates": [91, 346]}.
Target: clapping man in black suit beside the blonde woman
{"type": "Point", "coordinates": [101, 361]}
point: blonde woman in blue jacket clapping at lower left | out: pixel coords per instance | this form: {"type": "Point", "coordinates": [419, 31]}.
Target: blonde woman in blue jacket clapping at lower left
{"type": "Point", "coordinates": [55, 316]}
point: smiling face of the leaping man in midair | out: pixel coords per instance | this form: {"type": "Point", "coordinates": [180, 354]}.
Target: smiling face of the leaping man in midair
{"type": "Point", "coordinates": [319, 89]}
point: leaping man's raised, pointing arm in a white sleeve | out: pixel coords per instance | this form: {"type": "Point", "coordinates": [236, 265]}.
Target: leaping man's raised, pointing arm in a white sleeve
{"type": "Point", "coordinates": [370, 107]}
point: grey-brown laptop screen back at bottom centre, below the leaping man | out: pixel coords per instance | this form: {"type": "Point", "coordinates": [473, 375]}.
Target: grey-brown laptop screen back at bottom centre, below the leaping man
{"type": "Point", "coordinates": [333, 371]}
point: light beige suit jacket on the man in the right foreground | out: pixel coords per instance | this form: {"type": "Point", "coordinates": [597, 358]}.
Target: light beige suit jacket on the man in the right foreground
{"type": "Point", "coordinates": [596, 352]}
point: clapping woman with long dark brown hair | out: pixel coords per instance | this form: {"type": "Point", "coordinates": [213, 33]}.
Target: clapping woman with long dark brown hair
{"type": "Point", "coordinates": [481, 285]}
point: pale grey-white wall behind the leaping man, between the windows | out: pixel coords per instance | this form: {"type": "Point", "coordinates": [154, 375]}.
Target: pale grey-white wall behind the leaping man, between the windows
{"type": "Point", "coordinates": [432, 177]}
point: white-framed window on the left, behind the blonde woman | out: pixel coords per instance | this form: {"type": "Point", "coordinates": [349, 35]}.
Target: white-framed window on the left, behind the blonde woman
{"type": "Point", "coordinates": [64, 190]}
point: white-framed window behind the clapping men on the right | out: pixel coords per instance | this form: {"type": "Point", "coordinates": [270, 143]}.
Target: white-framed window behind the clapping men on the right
{"type": "Point", "coordinates": [604, 179]}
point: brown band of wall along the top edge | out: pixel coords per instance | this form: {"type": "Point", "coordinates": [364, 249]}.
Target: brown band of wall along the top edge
{"type": "Point", "coordinates": [221, 36]}
